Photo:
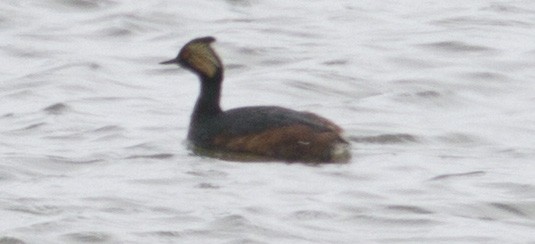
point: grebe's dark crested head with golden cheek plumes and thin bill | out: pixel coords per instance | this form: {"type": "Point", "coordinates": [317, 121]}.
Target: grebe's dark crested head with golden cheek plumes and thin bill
{"type": "Point", "coordinates": [199, 57]}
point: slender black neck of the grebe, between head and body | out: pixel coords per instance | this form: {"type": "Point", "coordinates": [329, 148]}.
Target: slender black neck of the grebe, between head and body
{"type": "Point", "coordinates": [208, 102]}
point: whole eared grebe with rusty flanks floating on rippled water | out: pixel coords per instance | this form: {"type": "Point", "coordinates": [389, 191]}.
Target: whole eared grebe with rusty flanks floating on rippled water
{"type": "Point", "coordinates": [268, 132]}
